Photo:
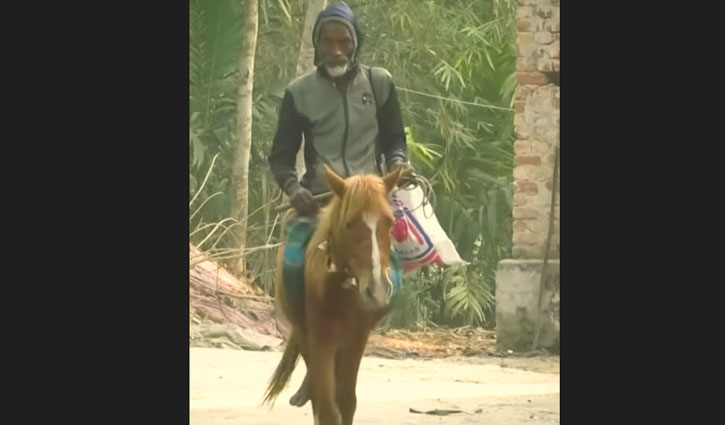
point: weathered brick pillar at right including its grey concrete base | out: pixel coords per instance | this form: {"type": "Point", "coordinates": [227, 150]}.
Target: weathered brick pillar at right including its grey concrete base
{"type": "Point", "coordinates": [536, 127]}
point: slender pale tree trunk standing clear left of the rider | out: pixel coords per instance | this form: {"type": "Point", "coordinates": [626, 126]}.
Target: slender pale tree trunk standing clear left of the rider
{"type": "Point", "coordinates": [240, 171]}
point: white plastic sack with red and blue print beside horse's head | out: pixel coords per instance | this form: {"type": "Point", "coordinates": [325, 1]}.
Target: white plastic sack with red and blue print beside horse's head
{"type": "Point", "coordinates": [417, 236]}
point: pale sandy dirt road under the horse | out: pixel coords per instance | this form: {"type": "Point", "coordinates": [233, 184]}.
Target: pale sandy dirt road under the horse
{"type": "Point", "coordinates": [226, 387]}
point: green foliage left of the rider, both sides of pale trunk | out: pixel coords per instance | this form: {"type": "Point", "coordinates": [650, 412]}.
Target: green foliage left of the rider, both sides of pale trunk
{"type": "Point", "coordinates": [215, 38]}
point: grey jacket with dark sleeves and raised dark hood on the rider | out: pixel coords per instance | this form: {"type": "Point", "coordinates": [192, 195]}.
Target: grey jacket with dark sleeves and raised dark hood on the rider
{"type": "Point", "coordinates": [354, 132]}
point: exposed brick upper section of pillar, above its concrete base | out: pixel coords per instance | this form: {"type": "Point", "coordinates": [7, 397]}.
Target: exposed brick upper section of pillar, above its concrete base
{"type": "Point", "coordinates": [536, 127]}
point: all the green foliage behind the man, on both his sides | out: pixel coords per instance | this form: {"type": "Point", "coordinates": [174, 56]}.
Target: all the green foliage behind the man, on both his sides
{"type": "Point", "coordinates": [458, 52]}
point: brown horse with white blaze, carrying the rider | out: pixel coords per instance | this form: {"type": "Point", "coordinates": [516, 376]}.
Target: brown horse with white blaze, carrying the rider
{"type": "Point", "coordinates": [347, 291]}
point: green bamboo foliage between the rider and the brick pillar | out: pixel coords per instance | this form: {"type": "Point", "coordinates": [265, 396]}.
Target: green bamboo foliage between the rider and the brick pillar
{"type": "Point", "coordinates": [457, 50]}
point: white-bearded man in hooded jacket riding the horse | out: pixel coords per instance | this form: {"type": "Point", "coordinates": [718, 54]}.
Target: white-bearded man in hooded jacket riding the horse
{"type": "Point", "coordinates": [352, 125]}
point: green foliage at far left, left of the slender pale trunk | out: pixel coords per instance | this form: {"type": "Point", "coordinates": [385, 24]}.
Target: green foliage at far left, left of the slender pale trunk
{"type": "Point", "coordinates": [215, 33]}
